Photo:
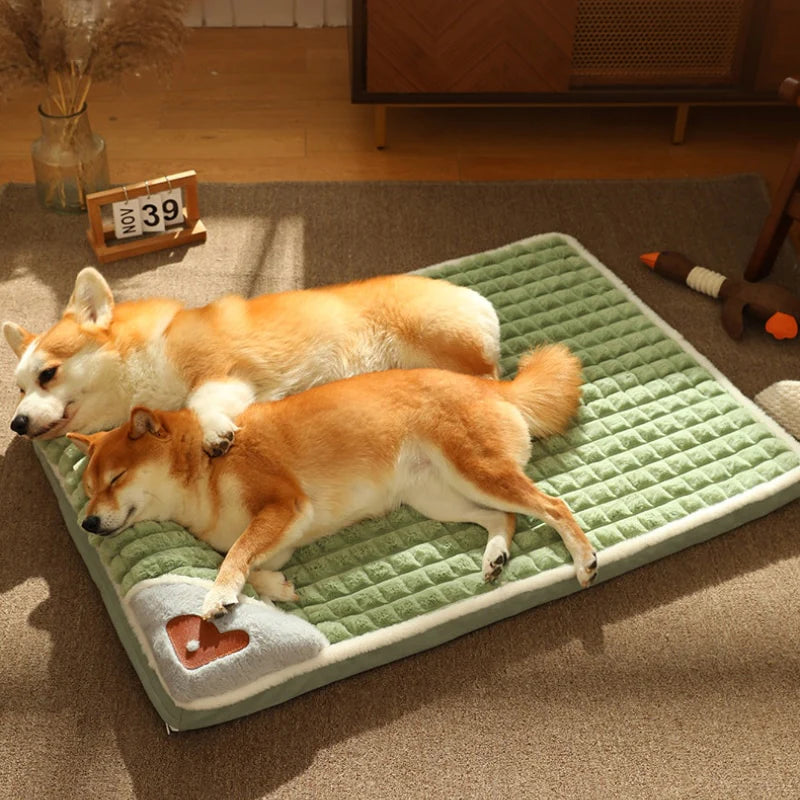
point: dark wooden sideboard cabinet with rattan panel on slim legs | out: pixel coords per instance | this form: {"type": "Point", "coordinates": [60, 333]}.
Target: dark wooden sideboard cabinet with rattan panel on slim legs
{"type": "Point", "coordinates": [577, 52]}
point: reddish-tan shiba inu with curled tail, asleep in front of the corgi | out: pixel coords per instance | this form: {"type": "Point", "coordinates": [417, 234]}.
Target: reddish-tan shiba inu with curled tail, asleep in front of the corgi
{"type": "Point", "coordinates": [451, 446]}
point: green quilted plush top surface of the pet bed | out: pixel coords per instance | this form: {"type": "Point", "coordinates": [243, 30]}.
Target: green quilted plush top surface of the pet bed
{"type": "Point", "coordinates": [661, 445]}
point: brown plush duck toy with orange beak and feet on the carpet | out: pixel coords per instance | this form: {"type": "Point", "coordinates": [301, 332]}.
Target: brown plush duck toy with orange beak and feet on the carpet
{"type": "Point", "coordinates": [778, 306]}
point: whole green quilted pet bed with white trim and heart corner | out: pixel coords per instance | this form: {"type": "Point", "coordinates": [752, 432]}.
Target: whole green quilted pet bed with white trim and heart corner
{"type": "Point", "coordinates": [665, 453]}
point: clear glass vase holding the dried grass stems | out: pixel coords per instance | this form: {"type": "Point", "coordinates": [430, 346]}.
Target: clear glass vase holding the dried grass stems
{"type": "Point", "coordinates": [69, 161]}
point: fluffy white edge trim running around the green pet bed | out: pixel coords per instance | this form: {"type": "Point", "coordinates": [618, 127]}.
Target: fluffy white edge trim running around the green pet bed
{"type": "Point", "coordinates": [341, 651]}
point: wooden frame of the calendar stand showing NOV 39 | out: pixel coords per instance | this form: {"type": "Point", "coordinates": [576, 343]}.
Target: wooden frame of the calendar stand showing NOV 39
{"type": "Point", "coordinates": [108, 248]}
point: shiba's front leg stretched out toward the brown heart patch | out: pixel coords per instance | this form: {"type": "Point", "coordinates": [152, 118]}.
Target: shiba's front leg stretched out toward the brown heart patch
{"type": "Point", "coordinates": [274, 528]}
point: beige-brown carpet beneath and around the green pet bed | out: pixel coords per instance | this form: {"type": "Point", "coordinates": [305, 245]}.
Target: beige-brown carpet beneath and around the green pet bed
{"type": "Point", "coordinates": [681, 679]}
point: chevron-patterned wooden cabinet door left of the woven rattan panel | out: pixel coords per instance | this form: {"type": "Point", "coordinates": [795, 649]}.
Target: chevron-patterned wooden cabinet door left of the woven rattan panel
{"type": "Point", "coordinates": [472, 46]}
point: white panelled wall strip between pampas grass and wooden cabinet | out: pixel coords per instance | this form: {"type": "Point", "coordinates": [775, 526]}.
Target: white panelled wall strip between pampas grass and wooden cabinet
{"type": "Point", "coordinates": [258, 13]}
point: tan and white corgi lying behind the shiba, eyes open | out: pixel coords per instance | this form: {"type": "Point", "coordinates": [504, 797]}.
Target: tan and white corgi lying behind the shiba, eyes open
{"type": "Point", "coordinates": [100, 360]}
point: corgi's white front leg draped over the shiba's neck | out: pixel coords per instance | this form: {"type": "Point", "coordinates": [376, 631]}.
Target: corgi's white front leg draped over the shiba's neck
{"type": "Point", "coordinates": [217, 404]}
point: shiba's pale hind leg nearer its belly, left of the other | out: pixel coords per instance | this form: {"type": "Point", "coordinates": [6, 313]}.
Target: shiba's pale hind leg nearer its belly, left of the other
{"type": "Point", "coordinates": [437, 500]}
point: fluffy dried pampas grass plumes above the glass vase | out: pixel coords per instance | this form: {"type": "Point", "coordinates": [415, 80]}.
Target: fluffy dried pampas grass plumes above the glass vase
{"type": "Point", "coordinates": [64, 45]}
